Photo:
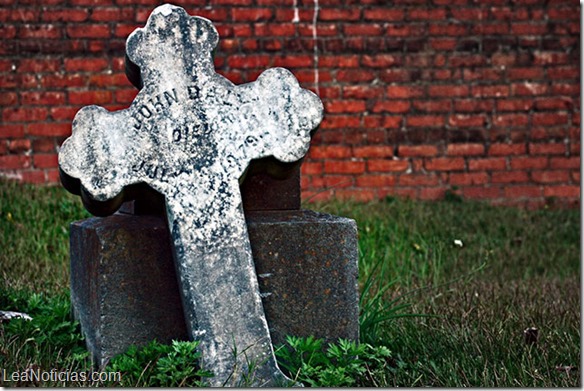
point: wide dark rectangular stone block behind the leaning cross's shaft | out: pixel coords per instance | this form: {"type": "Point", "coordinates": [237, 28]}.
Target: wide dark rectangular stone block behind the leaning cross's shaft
{"type": "Point", "coordinates": [124, 289]}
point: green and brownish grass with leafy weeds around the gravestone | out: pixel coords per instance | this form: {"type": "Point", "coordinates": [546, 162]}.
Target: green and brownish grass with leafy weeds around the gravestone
{"type": "Point", "coordinates": [447, 290]}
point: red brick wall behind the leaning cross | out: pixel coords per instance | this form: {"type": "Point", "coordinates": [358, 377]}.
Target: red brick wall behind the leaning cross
{"type": "Point", "coordinates": [480, 98]}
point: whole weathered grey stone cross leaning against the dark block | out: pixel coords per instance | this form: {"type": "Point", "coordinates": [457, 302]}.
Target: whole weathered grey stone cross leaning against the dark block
{"type": "Point", "coordinates": [190, 134]}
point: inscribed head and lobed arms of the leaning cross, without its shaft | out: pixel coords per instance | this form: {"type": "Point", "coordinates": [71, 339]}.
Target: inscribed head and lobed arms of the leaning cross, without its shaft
{"type": "Point", "coordinates": [186, 116]}
